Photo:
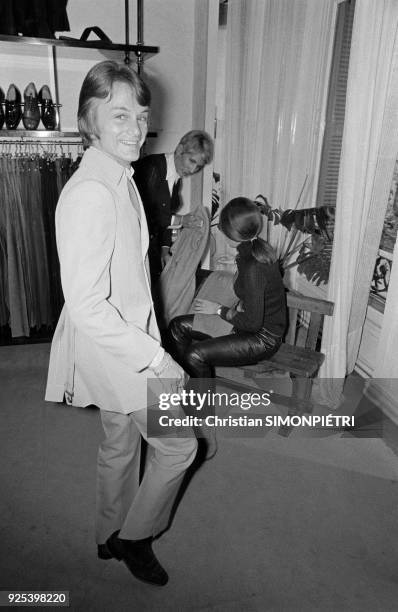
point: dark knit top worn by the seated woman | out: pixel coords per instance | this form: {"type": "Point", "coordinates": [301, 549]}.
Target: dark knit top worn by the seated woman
{"type": "Point", "coordinates": [260, 289]}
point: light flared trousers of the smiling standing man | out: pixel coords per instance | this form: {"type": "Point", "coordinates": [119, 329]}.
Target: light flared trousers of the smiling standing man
{"type": "Point", "coordinates": [138, 510]}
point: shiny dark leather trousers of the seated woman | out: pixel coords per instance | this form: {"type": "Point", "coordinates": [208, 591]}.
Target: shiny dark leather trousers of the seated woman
{"type": "Point", "coordinates": [198, 353]}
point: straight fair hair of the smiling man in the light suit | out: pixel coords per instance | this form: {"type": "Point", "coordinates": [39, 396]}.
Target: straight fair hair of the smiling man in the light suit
{"type": "Point", "coordinates": [97, 85]}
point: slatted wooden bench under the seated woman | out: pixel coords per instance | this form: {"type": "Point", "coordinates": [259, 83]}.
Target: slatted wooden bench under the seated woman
{"type": "Point", "coordinates": [299, 355]}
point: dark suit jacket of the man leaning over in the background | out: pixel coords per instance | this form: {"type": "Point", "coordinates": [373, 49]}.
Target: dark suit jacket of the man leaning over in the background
{"type": "Point", "coordinates": [150, 177]}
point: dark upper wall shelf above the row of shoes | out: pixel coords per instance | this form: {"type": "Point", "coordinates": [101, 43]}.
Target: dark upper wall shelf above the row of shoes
{"type": "Point", "coordinates": [143, 50]}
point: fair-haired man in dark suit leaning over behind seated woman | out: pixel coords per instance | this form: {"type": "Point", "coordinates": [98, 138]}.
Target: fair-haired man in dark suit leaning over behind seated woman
{"type": "Point", "coordinates": [159, 178]}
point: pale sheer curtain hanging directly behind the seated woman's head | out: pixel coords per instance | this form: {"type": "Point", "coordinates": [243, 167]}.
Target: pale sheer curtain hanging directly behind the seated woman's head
{"type": "Point", "coordinates": [277, 69]}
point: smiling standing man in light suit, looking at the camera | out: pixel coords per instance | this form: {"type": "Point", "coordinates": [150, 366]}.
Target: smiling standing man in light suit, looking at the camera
{"type": "Point", "coordinates": [106, 345]}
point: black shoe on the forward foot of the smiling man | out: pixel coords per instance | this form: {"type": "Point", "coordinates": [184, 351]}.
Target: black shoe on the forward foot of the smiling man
{"type": "Point", "coordinates": [139, 558]}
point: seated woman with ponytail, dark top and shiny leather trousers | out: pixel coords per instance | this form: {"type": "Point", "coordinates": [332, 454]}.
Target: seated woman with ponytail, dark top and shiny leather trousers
{"type": "Point", "coordinates": [258, 321]}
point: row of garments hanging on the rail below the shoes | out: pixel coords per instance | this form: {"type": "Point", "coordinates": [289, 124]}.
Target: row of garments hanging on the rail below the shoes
{"type": "Point", "coordinates": [30, 287]}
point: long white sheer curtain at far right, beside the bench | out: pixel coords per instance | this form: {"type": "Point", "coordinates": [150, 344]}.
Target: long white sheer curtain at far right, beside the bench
{"type": "Point", "coordinates": [369, 149]}
